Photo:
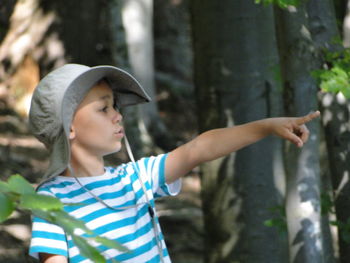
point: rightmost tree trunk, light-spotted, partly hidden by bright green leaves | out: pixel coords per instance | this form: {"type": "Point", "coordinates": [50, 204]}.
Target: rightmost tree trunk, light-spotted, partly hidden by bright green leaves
{"type": "Point", "coordinates": [335, 120]}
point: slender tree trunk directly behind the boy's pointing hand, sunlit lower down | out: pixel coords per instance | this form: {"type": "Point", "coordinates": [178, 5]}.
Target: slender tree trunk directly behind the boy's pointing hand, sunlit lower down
{"type": "Point", "coordinates": [303, 183]}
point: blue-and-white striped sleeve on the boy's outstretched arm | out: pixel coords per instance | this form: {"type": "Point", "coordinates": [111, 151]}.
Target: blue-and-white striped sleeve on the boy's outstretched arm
{"type": "Point", "coordinates": [154, 169]}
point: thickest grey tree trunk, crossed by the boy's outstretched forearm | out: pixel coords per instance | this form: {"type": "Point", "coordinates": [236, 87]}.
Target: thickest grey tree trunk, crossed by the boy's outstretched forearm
{"type": "Point", "coordinates": [237, 80]}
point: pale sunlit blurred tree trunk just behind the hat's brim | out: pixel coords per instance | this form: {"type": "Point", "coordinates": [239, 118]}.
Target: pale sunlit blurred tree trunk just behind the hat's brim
{"type": "Point", "coordinates": [137, 18]}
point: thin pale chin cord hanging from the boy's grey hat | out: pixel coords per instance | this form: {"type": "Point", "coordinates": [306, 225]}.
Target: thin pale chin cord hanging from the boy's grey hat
{"type": "Point", "coordinates": [150, 208]}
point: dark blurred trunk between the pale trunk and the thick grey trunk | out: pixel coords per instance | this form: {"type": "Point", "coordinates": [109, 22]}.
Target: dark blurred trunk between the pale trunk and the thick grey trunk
{"type": "Point", "coordinates": [172, 47]}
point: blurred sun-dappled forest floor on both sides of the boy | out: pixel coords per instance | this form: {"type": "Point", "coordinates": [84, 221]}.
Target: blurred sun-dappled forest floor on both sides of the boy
{"type": "Point", "coordinates": [180, 216]}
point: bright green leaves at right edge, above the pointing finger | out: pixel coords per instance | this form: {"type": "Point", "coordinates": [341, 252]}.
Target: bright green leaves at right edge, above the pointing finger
{"type": "Point", "coordinates": [335, 77]}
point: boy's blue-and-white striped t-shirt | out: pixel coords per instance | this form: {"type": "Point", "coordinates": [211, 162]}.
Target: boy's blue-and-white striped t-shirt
{"type": "Point", "coordinates": [119, 187]}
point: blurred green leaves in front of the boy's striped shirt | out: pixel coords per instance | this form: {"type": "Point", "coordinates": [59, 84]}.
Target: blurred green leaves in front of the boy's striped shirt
{"type": "Point", "coordinates": [17, 193]}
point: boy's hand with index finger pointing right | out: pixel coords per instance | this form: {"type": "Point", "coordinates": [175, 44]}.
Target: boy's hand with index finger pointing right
{"type": "Point", "coordinates": [293, 129]}
